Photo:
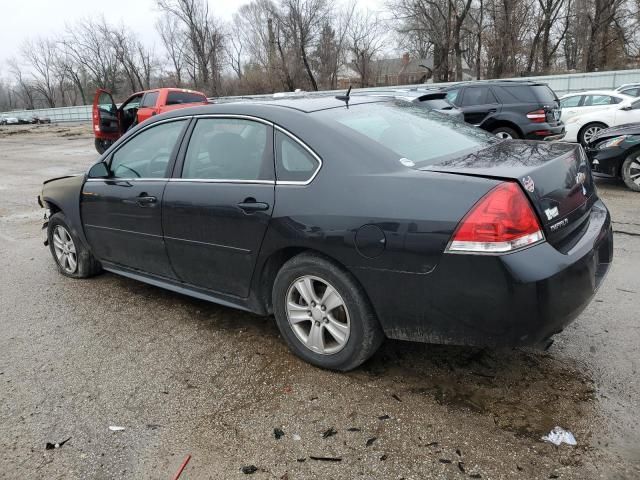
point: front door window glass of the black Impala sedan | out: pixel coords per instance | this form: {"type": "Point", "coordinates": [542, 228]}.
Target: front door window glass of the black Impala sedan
{"type": "Point", "coordinates": [147, 154]}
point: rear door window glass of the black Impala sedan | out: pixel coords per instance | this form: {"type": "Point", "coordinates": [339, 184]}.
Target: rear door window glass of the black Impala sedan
{"type": "Point", "coordinates": [229, 149]}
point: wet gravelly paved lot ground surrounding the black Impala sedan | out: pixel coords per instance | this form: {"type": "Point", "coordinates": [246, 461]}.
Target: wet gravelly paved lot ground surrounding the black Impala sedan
{"type": "Point", "coordinates": [183, 376]}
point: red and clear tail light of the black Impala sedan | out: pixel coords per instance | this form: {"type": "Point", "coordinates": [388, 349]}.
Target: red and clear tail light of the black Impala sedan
{"type": "Point", "coordinates": [501, 221]}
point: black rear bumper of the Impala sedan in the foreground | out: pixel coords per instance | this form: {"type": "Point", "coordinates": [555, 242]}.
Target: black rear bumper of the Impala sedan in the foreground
{"type": "Point", "coordinates": [508, 300]}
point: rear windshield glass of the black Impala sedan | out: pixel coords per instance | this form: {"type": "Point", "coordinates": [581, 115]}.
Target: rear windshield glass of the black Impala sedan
{"type": "Point", "coordinates": [424, 137]}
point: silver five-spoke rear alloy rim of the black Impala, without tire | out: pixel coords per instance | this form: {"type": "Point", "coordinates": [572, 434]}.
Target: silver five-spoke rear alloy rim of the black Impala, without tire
{"type": "Point", "coordinates": [318, 315]}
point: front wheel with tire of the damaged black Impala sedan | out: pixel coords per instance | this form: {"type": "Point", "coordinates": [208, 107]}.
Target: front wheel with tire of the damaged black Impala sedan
{"type": "Point", "coordinates": [71, 256]}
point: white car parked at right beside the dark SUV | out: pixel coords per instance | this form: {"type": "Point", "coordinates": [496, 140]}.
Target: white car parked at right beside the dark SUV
{"type": "Point", "coordinates": [583, 128]}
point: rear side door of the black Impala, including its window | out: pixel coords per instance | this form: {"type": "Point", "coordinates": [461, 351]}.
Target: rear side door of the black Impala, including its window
{"type": "Point", "coordinates": [217, 207]}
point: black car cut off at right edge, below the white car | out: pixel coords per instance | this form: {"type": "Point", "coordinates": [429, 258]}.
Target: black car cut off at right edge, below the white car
{"type": "Point", "coordinates": [615, 152]}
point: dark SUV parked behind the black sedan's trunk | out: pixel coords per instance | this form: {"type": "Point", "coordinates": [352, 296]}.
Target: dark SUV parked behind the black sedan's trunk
{"type": "Point", "coordinates": [509, 109]}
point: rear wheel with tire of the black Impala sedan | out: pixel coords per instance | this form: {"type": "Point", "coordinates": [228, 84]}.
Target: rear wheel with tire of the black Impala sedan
{"type": "Point", "coordinates": [324, 315]}
